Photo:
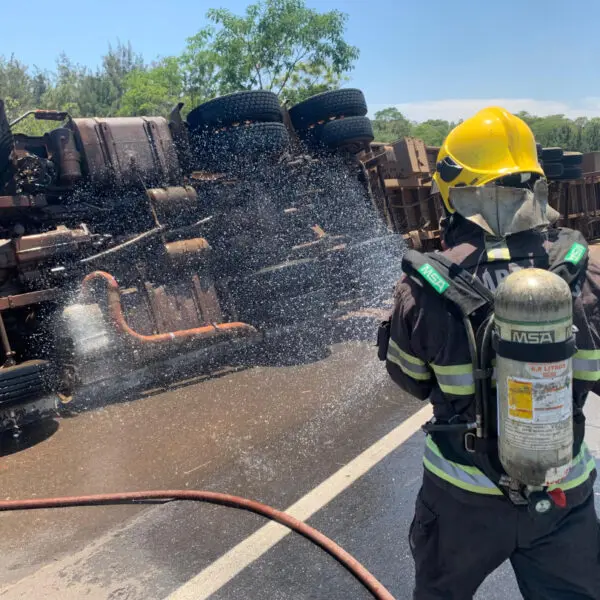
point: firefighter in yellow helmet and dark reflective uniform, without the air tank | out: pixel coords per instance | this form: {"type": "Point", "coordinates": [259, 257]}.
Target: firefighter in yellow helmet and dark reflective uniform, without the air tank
{"type": "Point", "coordinates": [466, 523]}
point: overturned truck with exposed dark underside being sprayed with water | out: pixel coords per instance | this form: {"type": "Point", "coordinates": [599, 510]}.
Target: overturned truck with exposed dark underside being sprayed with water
{"type": "Point", "coordinates": [126, 242]}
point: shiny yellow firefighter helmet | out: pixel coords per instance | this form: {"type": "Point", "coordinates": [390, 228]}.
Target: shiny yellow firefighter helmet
{"type": "Point", "coordinates": [491, 144]}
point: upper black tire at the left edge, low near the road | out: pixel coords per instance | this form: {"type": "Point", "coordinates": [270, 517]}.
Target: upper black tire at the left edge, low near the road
{"type": "Point", "coordinates": [27, 380]}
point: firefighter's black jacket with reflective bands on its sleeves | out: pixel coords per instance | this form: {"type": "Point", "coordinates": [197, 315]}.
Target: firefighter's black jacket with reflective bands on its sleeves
{"type": "Point", "coordinates": [428, 354]}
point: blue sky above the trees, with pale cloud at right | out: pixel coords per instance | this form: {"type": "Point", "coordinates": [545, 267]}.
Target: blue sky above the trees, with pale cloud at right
{"type": "Point", "coordinates": [434, 59]}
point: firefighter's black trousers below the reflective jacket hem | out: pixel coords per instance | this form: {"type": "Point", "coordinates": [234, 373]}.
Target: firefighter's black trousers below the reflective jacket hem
{"type": "Point", "coordinates": [458, 538]}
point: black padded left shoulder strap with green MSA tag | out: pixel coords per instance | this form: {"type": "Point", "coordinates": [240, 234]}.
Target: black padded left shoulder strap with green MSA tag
{"type": "Point", "coordinates": [455, 284]}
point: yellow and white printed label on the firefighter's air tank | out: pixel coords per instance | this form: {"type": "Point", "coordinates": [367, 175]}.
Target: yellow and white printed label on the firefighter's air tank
{"type": "Point", "coordinates": [546, 400]}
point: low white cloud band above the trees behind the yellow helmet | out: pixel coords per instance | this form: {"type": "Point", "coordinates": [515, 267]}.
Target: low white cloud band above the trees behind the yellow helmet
{"type": "Point", "coordinates": [452, 110]}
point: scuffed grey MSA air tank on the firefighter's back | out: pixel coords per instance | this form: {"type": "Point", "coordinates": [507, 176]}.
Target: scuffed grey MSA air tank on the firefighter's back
{"type": "Point", "coordinates": [533, 338]}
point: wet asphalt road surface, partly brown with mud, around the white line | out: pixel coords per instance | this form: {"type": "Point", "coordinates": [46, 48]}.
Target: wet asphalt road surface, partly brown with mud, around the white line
{"type": "Point", "coordinates": [271, 433]}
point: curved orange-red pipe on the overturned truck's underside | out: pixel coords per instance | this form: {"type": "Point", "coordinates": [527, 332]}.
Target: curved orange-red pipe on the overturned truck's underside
{"type": "Point", "coordinates": [118, 319]}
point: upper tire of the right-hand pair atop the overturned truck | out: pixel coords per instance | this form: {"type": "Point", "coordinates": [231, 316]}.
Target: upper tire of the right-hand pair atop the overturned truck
{"type": "Point", "coordinates": [322, 107]}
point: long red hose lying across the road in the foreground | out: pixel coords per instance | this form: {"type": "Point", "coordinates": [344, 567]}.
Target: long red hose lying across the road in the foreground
{"type": "Point", "coordinates": [376, 589]}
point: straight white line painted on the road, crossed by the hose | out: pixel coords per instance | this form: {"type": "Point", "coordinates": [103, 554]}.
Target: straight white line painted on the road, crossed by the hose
{"type": "Point", "coordinates": [225, 568]}
